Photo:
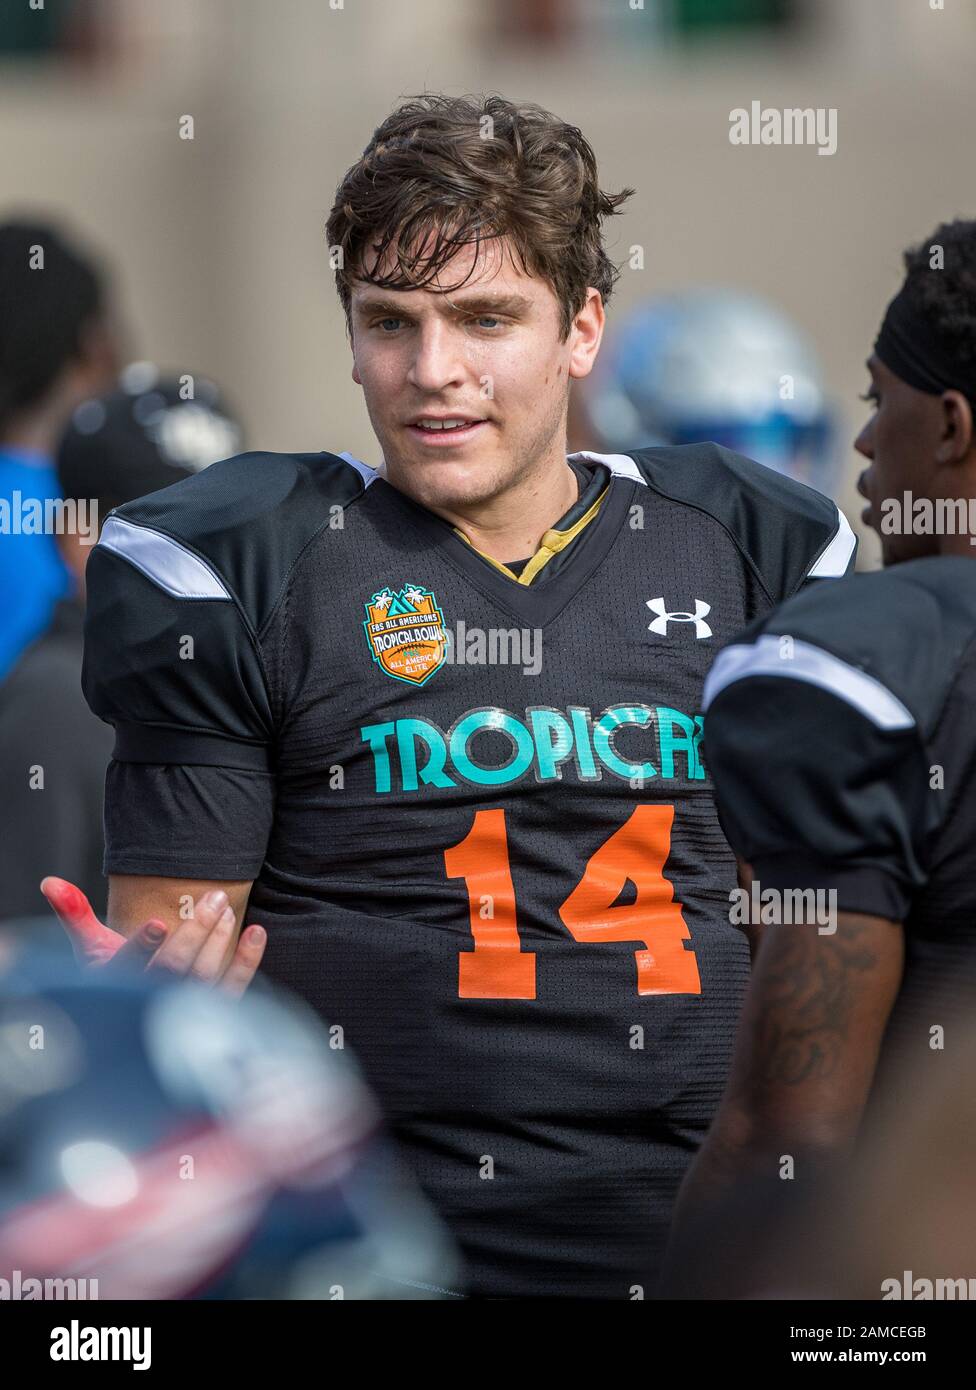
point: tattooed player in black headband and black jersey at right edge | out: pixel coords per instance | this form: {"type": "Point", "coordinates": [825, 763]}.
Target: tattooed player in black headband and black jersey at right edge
{"type": "Point", "coordinates": [842, 737]}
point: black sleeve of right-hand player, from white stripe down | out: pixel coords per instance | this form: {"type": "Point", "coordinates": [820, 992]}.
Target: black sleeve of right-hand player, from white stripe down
{"type": "Point", "coordinates": [820, 776]}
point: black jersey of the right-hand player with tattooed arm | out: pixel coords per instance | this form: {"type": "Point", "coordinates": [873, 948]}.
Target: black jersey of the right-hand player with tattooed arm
{"type": "Point", "coordinates": [842, 740]}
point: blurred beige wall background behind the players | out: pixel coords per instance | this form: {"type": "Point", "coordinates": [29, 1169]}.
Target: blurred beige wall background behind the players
{"type": "Point", "coordinates": [218, 243]}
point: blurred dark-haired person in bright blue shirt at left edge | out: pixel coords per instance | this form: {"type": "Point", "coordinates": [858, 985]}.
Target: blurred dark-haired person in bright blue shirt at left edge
{"type": "Point", "coordinates": [58, 347]}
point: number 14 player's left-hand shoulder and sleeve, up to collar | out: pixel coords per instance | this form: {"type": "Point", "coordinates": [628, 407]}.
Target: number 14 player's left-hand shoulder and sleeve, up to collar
{"type": "Point", "coordinates": [181, 589]}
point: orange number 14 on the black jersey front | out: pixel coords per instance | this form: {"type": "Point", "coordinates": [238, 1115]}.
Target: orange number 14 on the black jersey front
{"type": "Point", "coordinates": [500, 970]}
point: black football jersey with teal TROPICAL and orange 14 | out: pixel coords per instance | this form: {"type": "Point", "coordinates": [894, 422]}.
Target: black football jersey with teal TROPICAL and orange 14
{"type": "Point", "coordinates": [473, 804]}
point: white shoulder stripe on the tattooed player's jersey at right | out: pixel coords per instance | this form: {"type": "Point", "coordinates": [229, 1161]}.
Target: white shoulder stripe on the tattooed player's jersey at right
{"type": "Point", "coordinates": [813, 665]}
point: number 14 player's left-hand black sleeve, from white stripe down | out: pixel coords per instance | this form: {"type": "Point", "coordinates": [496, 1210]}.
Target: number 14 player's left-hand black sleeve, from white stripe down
{"type": "Point", "coordinates": [172, 664]}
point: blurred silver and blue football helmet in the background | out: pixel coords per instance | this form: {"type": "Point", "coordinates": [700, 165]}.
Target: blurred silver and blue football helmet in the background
{"type": "Point", "coordinates": [711, 365]}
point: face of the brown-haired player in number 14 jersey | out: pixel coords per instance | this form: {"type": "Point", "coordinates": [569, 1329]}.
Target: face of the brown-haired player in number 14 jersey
{"type": "Point", "coordinates": [490, 355]}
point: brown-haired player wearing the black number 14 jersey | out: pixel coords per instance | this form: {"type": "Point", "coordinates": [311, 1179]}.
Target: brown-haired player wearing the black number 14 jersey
{"type": "Point", "coordinates": [436, 725]}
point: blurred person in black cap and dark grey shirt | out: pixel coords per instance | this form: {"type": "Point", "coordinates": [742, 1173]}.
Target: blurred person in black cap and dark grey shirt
{"type": "Point", "coordinates": [54, 753]}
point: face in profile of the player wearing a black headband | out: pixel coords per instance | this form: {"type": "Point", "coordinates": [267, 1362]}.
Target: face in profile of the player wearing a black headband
{"type": "Point", "coordinates": [902, 441]}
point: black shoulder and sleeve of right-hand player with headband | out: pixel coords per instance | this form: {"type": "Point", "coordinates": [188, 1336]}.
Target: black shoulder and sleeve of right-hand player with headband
{"type": "Point", "coordinates": [820, 729]}
